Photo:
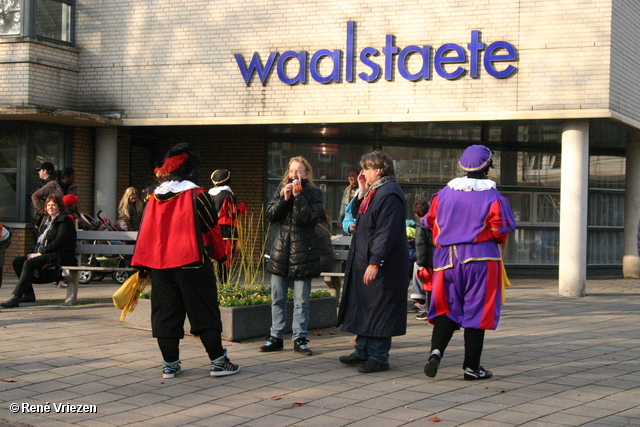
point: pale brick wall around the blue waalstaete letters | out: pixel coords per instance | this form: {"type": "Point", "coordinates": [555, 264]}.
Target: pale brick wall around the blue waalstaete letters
{"type": "Point", "coordinates": [130, 62]}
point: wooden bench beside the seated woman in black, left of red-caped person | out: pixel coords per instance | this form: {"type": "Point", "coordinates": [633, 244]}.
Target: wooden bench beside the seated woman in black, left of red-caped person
{"type": "Point", "coordinates": [96, 243]}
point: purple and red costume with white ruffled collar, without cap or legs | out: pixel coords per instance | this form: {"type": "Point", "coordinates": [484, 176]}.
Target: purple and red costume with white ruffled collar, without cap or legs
{"type": "Point", "coordinates": [468, 218]}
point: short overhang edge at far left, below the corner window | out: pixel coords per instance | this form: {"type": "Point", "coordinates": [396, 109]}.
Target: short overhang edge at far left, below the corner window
{"type": "Point", "coordinates": [60, 116]}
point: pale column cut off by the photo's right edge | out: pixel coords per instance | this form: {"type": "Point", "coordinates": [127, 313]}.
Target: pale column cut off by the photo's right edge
{"type": "Point", "coordinates": [630, 259]}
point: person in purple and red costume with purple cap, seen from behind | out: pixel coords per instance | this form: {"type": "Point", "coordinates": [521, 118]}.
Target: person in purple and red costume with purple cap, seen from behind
{"type": "Point", "coordinates": [468, 218]}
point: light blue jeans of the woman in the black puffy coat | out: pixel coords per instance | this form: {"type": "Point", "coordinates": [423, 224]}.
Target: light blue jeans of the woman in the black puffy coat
{"type": "Point", "coordinates": [301, 291]}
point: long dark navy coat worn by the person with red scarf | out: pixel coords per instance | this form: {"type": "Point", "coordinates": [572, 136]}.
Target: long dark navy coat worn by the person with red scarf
{"type": "Point", "coordinates": [380, 308]}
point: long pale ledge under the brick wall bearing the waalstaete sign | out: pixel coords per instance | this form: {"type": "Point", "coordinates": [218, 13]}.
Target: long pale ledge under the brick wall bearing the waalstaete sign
{"type": "Point", "coordinates": [408, 117]}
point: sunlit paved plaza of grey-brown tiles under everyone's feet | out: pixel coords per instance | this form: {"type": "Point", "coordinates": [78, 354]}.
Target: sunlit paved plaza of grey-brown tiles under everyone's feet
{"type": "Point", "coordinates": [556, 361]}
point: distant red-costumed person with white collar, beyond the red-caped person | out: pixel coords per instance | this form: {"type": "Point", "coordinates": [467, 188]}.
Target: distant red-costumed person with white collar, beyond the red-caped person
{"type": "Point", "coordinates": [229, 210]}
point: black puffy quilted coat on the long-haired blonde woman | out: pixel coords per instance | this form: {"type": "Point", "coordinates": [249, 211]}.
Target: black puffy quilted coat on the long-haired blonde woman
{"type": "Point", "coordinates": [295, 249]}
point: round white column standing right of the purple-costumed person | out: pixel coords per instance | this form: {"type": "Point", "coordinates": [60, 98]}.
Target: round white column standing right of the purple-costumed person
{"type": "Point", "coordinates": [574, 185]}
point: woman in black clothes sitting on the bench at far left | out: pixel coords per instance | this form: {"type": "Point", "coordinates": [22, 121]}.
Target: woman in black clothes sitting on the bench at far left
{"type": "Point", "coordinates": [55, 246]}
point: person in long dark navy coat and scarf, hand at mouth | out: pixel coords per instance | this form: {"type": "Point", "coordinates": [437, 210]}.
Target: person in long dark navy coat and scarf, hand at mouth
{"type": "Point", "coordinates": [374, 302]}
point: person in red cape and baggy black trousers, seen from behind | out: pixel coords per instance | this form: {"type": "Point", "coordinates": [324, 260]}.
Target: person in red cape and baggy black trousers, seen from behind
{"type": "Point", "coordinates": [177, 239]}
